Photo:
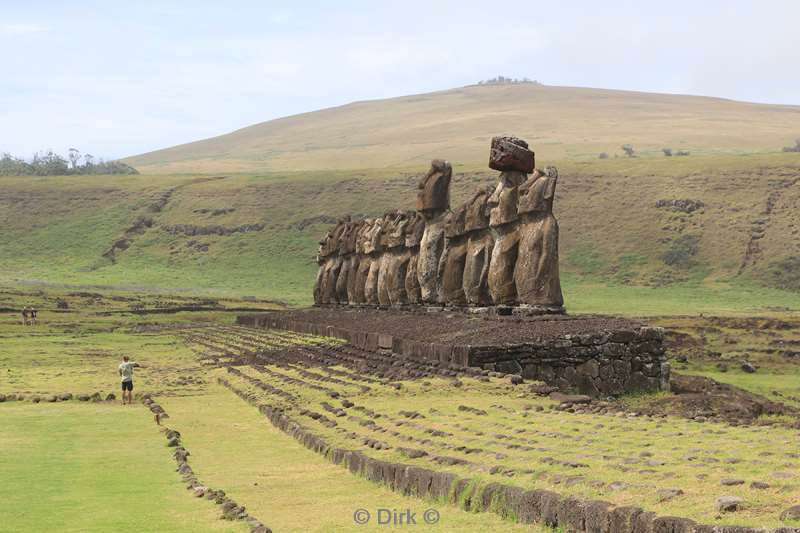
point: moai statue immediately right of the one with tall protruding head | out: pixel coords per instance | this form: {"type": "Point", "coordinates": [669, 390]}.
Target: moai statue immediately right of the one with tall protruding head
{"type": "Point", "coordinates": [454, 256]}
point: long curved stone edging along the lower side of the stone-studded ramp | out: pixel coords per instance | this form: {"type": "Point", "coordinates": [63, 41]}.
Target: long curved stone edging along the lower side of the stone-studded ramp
{"type": "Point", "coordinates": [531, 506]}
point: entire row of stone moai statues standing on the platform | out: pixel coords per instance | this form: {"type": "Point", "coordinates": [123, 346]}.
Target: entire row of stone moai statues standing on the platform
{"type": "Point", "coordinates": [500, 248]}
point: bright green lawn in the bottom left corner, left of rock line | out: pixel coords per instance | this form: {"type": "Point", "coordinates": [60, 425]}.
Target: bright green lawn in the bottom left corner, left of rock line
{"type": "Point", "coordinates": [93, 468]}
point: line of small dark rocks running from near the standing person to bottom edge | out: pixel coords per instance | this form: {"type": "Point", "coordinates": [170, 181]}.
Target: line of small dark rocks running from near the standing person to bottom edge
{"type": "Point", "coordinates": [230, 509]}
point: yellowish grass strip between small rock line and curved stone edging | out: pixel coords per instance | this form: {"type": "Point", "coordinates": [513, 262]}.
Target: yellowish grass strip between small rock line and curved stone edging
{"type": "Point", "coordinates": [289, 487]}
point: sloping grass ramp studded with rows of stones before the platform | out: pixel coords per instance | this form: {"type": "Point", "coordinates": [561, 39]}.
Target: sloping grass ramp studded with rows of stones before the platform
{"type": "Point", "coordinates": [516, 438]}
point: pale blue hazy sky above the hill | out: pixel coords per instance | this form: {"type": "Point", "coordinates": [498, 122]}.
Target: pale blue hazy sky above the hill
{"type": "Point", "coordinates": [118, 78]}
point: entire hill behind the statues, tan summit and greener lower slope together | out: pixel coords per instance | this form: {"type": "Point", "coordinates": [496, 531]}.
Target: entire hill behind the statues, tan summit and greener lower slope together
{"type": "Point", "coordinates": [241, 214]}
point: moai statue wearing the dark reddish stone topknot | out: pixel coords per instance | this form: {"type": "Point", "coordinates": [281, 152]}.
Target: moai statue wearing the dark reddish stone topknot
{"type": "Point", "coordinates": [514, 160]}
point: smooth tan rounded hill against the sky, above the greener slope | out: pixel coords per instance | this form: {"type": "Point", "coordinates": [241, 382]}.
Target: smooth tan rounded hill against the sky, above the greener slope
{"type": "Point", "coordinates": [561, 123]}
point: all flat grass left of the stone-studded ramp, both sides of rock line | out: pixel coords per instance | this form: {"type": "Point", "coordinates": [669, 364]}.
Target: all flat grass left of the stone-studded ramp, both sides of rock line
{"type": "Point", "coordinates": [99, 466]}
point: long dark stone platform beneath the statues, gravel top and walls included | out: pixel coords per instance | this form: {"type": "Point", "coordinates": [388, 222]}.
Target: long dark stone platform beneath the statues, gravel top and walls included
{"type": "Point", "coordinates": [594, 355]}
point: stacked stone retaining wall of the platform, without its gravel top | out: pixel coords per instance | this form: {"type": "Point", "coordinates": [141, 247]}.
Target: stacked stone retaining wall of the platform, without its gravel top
{"type": "Point", "coordinates": [606, 363]}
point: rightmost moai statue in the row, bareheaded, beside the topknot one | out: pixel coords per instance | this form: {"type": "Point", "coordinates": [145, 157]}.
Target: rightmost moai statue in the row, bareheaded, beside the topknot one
{"type": "Point", "coordinates": [536, 275]}
